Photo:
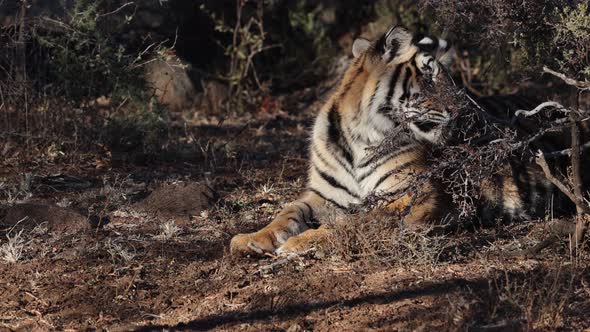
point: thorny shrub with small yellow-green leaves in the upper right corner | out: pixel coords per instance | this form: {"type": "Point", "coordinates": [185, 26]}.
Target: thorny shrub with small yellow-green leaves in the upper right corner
{"type": "Point", "coordinates": [507, 40]}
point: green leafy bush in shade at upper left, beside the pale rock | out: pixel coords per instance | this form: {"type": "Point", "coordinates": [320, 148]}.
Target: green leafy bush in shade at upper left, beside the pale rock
{"type": "Point", "coordinates": [84, 55]}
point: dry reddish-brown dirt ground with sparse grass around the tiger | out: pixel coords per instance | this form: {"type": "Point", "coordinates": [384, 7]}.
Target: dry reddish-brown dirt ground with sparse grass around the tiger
{"type": "Point", "coordinates": [91, 243]}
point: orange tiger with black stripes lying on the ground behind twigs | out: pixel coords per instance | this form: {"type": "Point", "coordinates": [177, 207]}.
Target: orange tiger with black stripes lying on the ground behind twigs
{"type": "Point", "coordinates": [379, 93]}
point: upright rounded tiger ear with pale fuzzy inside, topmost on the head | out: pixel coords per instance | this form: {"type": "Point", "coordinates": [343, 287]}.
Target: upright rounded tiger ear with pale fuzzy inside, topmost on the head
{"type": "Point", "coordinates": [397, 43]}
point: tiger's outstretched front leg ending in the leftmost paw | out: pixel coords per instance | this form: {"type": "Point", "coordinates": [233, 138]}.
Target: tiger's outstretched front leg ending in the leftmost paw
{"type": "Point", "coordinates": [291, 221]}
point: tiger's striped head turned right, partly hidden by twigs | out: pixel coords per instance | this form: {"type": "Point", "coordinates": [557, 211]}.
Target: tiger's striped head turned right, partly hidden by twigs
{"type": "Point", "coordinates": [404, 66]}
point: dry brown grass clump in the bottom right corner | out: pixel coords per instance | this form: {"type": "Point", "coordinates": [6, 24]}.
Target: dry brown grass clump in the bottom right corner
{"type": "Point", "coordinates": [541, 300]}
